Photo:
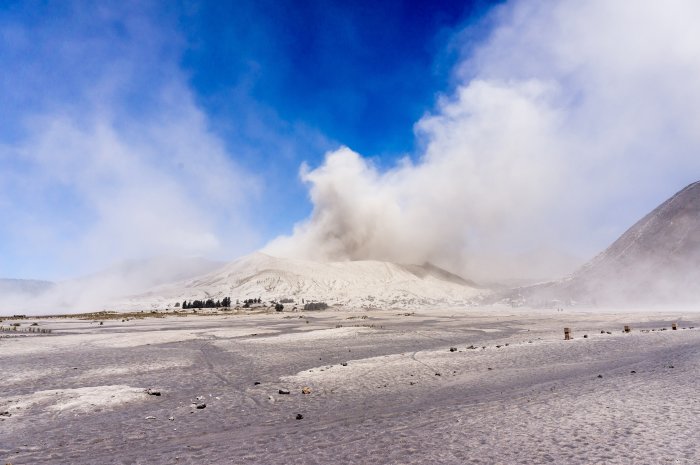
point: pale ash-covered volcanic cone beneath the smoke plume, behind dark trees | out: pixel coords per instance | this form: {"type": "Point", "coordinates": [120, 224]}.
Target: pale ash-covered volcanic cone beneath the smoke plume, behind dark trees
{"type": "Point", "coordinates": [354, 283]}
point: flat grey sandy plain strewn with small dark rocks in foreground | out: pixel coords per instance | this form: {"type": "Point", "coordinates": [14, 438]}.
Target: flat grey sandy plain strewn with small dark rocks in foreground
{"type": "Point", "coordinates": [383, 386]}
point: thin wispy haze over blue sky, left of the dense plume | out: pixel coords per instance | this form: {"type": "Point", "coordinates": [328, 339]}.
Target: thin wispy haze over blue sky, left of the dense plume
{"type": "Point", "coordinates": [105, 154]}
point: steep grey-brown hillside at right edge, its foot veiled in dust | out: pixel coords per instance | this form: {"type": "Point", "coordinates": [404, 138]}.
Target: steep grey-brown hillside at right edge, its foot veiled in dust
{"type": "Point", "coordinates": [655, 262]}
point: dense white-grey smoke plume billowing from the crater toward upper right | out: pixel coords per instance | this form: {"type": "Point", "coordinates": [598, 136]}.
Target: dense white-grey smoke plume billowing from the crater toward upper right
{"type": "Point", "coordinates": [572, 120]}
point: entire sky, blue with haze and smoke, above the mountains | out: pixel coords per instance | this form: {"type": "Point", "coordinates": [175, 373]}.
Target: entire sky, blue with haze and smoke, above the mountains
{"type": "Point", "coordinates": [497, 139]}
